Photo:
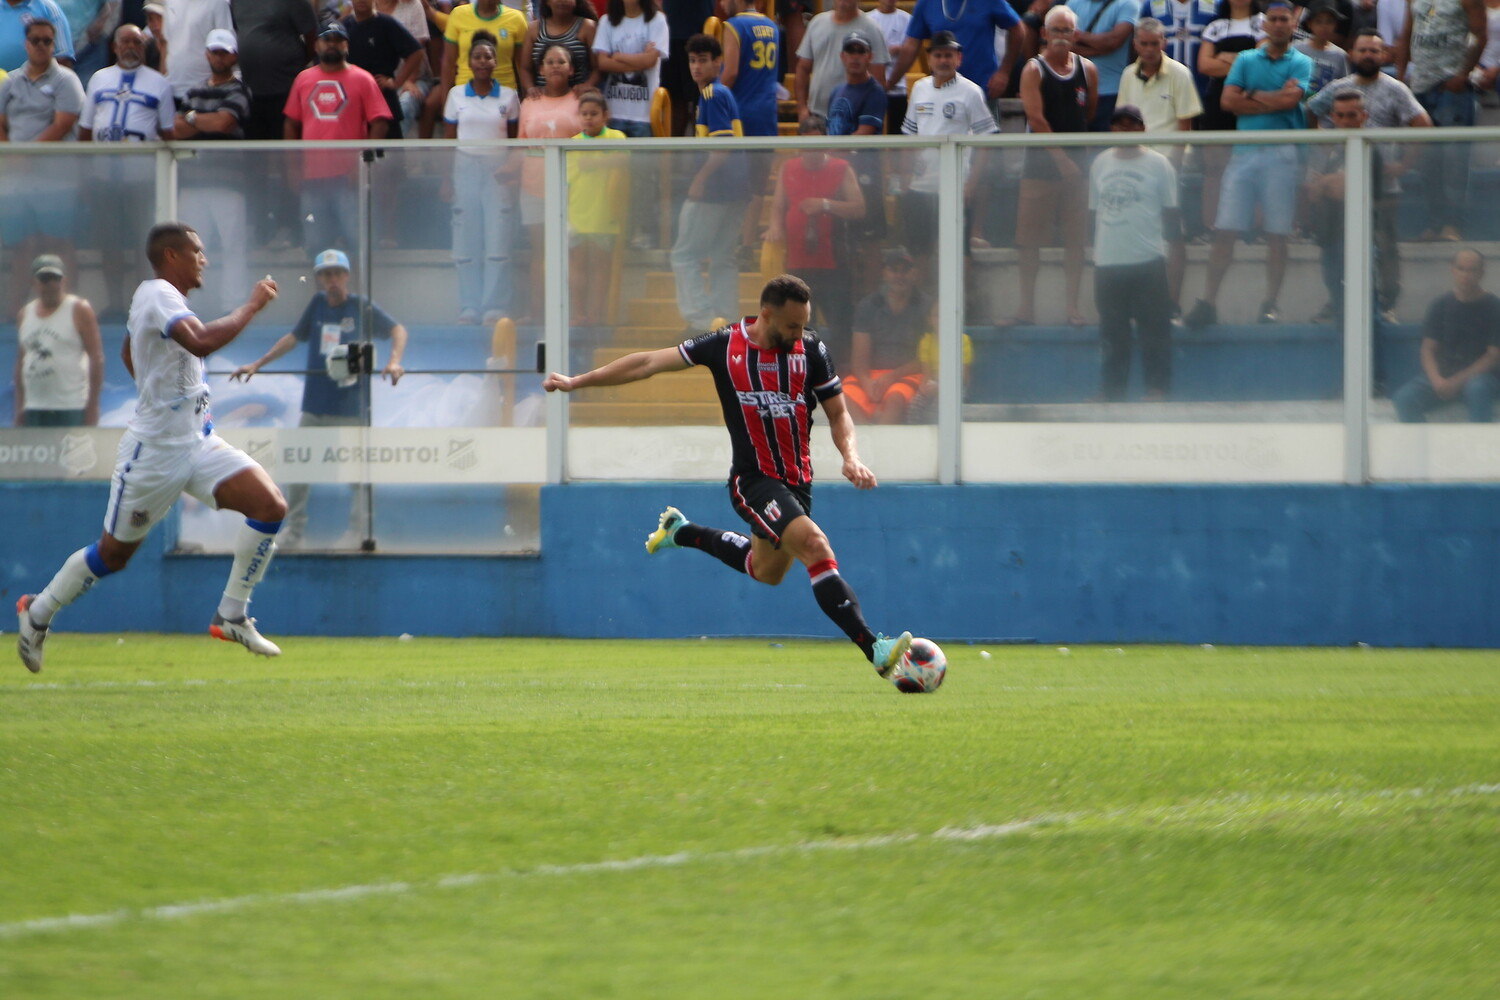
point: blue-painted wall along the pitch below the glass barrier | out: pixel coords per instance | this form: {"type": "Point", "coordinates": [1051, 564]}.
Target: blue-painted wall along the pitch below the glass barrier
{"type": "Point", "coordinates": [1391, 566]}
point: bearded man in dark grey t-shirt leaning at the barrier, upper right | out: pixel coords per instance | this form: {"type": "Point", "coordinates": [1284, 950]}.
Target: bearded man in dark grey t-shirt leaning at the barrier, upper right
{"type": "Point", "coordinates": [1390, 104]}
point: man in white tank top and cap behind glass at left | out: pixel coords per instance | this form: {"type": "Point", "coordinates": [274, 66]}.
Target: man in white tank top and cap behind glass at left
{"type": "Point", "coordinates": [59, 361]}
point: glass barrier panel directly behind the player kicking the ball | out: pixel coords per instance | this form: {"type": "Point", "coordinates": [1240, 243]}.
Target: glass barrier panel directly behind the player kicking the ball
{"type": "Point", "coordinates": [667, 247]}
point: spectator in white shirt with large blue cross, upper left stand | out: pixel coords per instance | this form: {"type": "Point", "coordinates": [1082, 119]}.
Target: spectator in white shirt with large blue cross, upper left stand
{"type": "Point", "coordinates": [127, 103]}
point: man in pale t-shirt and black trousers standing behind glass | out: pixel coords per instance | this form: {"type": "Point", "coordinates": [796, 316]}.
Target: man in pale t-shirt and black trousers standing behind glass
{"type": "Point", "coordinates": [1133, 193]}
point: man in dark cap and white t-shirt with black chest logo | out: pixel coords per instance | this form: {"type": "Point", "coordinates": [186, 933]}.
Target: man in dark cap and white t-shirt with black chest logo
{"type": "Point", "coordinates": [943, 104]}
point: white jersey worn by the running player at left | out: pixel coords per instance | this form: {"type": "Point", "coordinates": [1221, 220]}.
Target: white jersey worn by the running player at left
{"type": "Point", "coordinates": [173, 397]}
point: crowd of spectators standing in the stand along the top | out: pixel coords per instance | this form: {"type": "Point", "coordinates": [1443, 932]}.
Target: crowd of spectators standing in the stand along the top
{"type": "Point", "coordinates": [125, 71]}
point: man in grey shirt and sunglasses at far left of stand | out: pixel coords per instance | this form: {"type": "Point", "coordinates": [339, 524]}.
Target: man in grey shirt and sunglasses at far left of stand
{"type": "Point", "coordinates": [40, 103]}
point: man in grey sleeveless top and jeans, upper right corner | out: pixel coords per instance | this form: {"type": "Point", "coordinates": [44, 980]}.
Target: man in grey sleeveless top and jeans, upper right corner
{"type": "Point", "coordinates": [1441, 47]}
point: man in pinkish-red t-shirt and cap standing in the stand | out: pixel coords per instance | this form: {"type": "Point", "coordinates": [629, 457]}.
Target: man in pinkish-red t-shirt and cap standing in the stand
{"type": "Point", "coordinates": [334, 101]}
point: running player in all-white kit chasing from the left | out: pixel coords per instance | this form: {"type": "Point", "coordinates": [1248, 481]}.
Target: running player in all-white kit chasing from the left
{"type": "Point", "coordinates": [170, 449]}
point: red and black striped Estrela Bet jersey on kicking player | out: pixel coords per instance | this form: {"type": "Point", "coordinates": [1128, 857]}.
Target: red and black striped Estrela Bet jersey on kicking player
{"type": "Point", "coordinates": [769, 398]}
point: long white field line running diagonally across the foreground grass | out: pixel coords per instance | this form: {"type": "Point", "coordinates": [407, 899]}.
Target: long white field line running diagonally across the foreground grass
{"type": "Point", "coordinates": [968, 834]}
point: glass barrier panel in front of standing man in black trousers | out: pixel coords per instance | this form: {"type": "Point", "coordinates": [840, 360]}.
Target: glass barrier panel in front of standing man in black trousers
{"type": "Point", "coordinates": [1151, 346]}
